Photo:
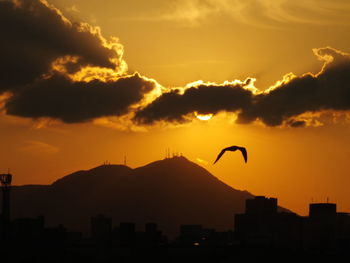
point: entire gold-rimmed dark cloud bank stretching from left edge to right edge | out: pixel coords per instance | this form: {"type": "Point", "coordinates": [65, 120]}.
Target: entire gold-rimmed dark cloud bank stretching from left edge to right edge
{"type": "Point", "coordinates": [55, 68]}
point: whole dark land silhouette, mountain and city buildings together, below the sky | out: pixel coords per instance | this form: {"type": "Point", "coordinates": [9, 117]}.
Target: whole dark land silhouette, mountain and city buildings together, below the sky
{"type": "Point", "coordinates": [118, 228]}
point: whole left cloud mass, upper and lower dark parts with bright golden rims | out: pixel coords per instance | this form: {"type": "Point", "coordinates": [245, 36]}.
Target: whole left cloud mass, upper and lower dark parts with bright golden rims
{"type": "Point", "coordinates": [58, 69]}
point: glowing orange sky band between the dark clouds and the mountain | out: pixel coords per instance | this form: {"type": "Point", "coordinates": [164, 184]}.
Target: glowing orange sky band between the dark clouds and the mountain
{"type": "Point", "coordinates": [199, 141]}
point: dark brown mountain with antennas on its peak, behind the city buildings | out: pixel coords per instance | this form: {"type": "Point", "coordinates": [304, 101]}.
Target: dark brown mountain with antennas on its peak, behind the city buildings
{"type": "Point", "coordinates": [169, 192]}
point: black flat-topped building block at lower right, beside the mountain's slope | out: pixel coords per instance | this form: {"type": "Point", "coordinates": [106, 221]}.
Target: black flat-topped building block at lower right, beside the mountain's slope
{"type": "Point", "coordinates": [262, 226]}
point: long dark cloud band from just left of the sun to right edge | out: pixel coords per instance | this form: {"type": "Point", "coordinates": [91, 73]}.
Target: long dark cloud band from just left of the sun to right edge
{"type": "Point", "coordinates": [328, 90]}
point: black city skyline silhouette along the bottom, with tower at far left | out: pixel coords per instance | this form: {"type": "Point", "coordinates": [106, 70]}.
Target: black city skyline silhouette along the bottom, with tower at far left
{"type": "Point", "coordinates": [262, 227]}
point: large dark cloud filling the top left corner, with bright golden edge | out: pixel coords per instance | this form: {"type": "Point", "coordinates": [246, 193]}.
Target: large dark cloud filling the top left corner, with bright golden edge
{"type": "Point", "coordinates": [34, 34]}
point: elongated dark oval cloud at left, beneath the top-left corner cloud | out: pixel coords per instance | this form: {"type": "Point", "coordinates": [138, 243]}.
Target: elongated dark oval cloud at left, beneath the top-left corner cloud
{"type": "Point", "coordinates": [75, 101]}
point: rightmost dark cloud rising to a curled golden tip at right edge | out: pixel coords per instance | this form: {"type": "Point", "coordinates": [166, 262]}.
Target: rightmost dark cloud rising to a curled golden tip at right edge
{"type": "Point", "coordinates": [328, 90]}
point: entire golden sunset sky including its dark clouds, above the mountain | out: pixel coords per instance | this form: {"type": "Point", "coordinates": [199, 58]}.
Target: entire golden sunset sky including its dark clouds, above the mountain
{"type": "Point", "coordinates": [88, 81]}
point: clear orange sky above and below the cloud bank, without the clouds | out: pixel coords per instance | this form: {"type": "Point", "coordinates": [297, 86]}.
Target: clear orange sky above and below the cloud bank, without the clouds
{"type": "Point", "coordinates": [177, 42]}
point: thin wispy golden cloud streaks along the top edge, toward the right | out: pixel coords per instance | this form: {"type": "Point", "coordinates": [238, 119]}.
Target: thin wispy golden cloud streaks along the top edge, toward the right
{"type": "Point", "coordinates": [259, 13]}
